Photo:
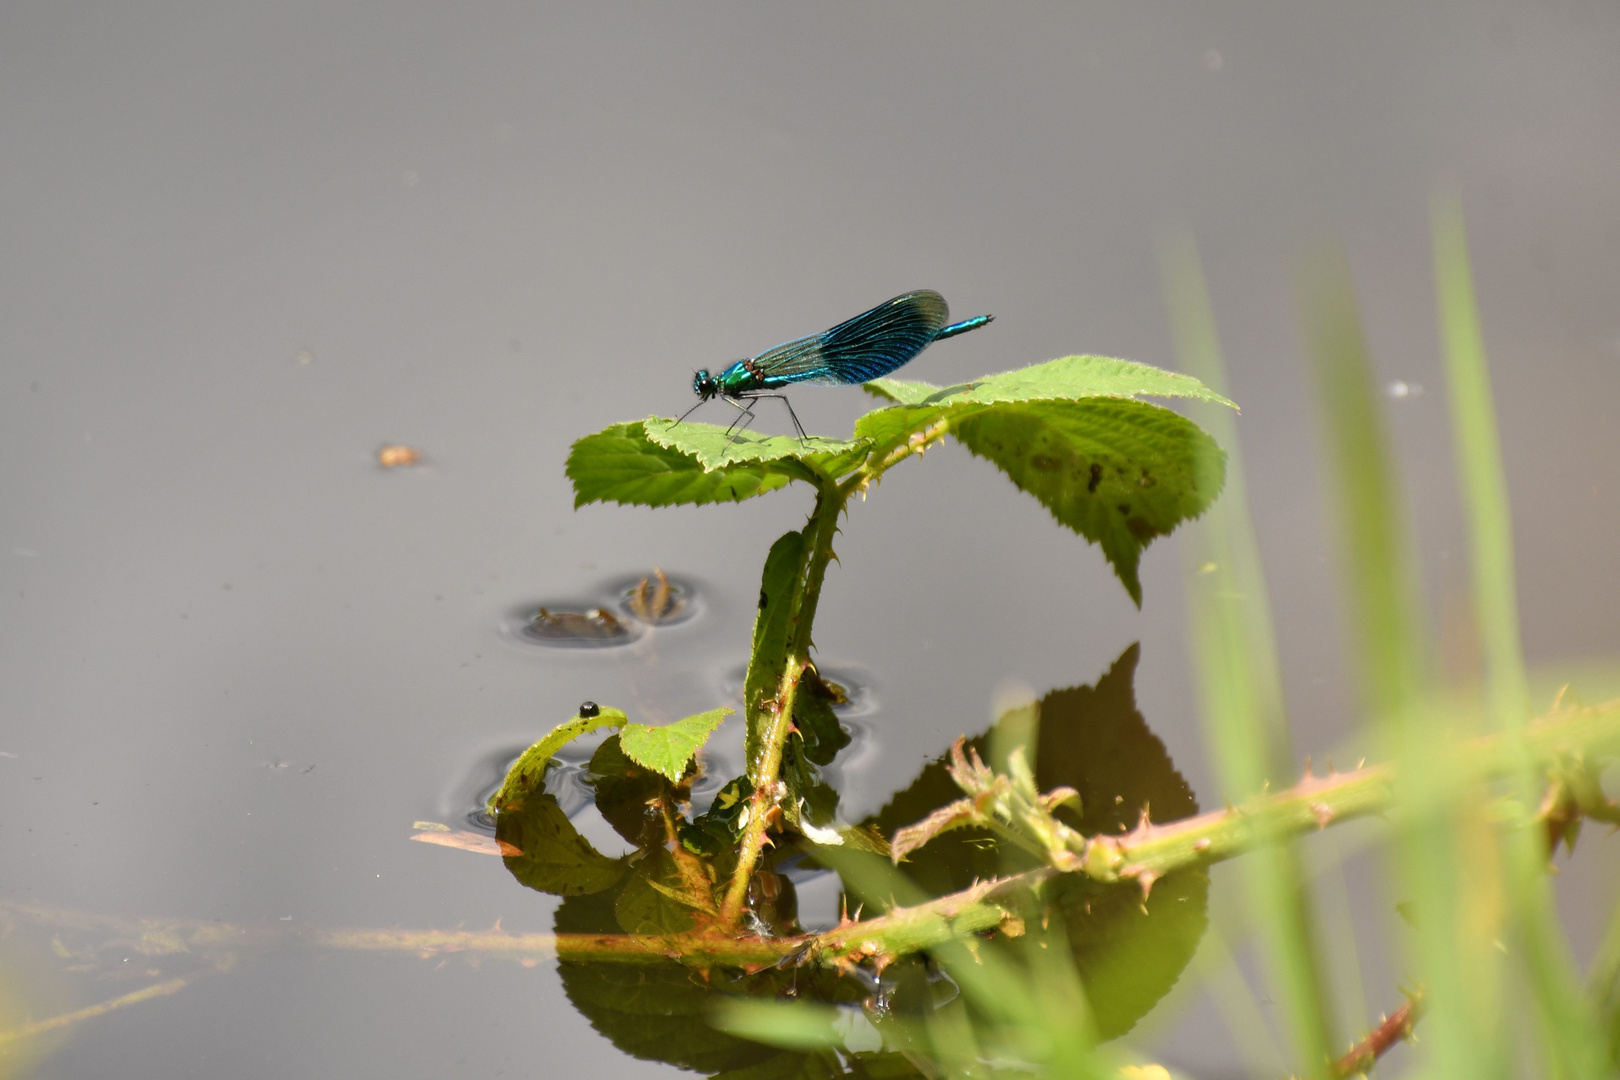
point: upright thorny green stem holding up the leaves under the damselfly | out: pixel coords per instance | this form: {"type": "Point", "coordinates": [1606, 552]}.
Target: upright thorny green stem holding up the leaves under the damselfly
{"type": "Point", "coordinates": [774, 720]}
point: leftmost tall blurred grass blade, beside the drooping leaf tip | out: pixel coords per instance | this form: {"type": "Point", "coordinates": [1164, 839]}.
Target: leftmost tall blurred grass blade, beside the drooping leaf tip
{"type": "Point", "coordinates": [1238, 678]}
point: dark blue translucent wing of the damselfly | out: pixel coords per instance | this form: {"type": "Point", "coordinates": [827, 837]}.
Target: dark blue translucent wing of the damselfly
{"type": "Point", "coordinates": [871, 346]}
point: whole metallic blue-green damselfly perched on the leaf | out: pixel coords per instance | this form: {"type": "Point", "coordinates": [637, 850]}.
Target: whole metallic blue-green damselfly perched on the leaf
{"type": "Point", "coordinates": [863, 349]}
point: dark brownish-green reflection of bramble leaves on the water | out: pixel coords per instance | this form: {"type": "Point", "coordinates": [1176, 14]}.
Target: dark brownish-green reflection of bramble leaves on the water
{"type": "Point", "coordinates": [1127, 950]}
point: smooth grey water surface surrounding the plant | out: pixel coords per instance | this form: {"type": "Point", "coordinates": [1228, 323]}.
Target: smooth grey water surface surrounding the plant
{"type": "Point", "coordinates": [247, 245]}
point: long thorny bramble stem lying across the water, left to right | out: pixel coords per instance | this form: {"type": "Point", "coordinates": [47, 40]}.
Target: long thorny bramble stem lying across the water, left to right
{"type": "Point", "coordinates": [1141, 856]}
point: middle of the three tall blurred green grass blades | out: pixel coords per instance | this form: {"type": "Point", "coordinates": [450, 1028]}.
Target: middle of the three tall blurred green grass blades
{"type": "Point", "coordinates": [1443, 853]}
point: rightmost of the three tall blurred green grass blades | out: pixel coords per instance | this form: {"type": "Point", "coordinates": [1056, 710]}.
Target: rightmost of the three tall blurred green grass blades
{"type": "Point", "coordinates": [1569, 1029]}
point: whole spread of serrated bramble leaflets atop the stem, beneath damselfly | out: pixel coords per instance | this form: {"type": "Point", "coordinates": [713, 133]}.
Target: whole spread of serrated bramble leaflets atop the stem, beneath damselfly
{"type": "Point", "coordinates": [1070, 432]}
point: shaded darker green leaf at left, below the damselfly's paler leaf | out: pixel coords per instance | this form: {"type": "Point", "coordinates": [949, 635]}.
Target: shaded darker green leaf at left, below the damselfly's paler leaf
{"type": "Point", "coordinates": [621, 464]}
